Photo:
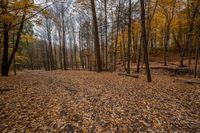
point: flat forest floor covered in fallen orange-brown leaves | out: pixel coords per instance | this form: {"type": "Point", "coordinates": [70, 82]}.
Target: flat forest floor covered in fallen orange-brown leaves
{"type": "Point", "coordinates": [89, 102]}
